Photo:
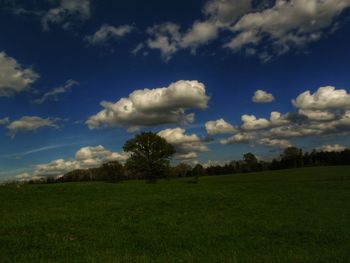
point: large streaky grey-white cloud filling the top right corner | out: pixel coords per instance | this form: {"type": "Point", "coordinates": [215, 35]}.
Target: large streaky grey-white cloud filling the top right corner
{"type": "Point", "coordinates": [287, 24]}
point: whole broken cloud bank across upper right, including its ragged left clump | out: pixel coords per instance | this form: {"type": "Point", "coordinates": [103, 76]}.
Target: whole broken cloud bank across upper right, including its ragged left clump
{"type": "Point", "coordinates": [260, 28]}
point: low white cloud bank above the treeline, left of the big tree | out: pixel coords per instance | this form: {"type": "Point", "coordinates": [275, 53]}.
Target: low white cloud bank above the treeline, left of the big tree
{"type": "Point", "coordinates": [86, 157]}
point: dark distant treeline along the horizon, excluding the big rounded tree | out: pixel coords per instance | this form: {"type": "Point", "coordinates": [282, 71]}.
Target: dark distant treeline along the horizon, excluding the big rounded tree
{"type": "Point", "coordinates": [291, 157]}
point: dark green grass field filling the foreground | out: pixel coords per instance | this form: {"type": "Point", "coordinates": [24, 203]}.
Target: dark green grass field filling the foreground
{"type": "Point", "coordinates": [300, 215]}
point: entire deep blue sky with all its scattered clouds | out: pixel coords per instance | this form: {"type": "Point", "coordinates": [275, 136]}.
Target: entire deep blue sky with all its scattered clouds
{"type": "Point", "coordinates": [215, 78]}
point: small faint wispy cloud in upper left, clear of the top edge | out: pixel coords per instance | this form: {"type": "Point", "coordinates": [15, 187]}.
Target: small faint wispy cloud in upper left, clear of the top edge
{"type": "Point", "coordinates": [108, 32]}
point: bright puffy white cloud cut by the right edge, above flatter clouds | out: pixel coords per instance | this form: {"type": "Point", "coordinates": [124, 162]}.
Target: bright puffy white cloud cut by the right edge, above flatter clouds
{"type": "Point", "coordinates": [325, 98]}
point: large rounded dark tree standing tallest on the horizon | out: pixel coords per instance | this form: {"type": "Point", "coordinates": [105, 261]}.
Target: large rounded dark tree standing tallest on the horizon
{"type": "Point", "coordinates": [150, 155]}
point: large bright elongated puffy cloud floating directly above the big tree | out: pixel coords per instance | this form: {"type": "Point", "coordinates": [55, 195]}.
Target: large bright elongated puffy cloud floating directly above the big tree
{"type": "Point", "coordinates": [150, 107]}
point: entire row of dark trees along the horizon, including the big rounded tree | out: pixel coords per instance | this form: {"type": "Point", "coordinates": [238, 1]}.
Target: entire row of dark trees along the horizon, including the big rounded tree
{"type": "Point", "coordinates": [150, 148]}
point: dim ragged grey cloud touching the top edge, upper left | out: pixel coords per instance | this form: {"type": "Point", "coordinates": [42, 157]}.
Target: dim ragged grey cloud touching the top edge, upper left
{"type": "Point", "coordinates": [66, 14]}
